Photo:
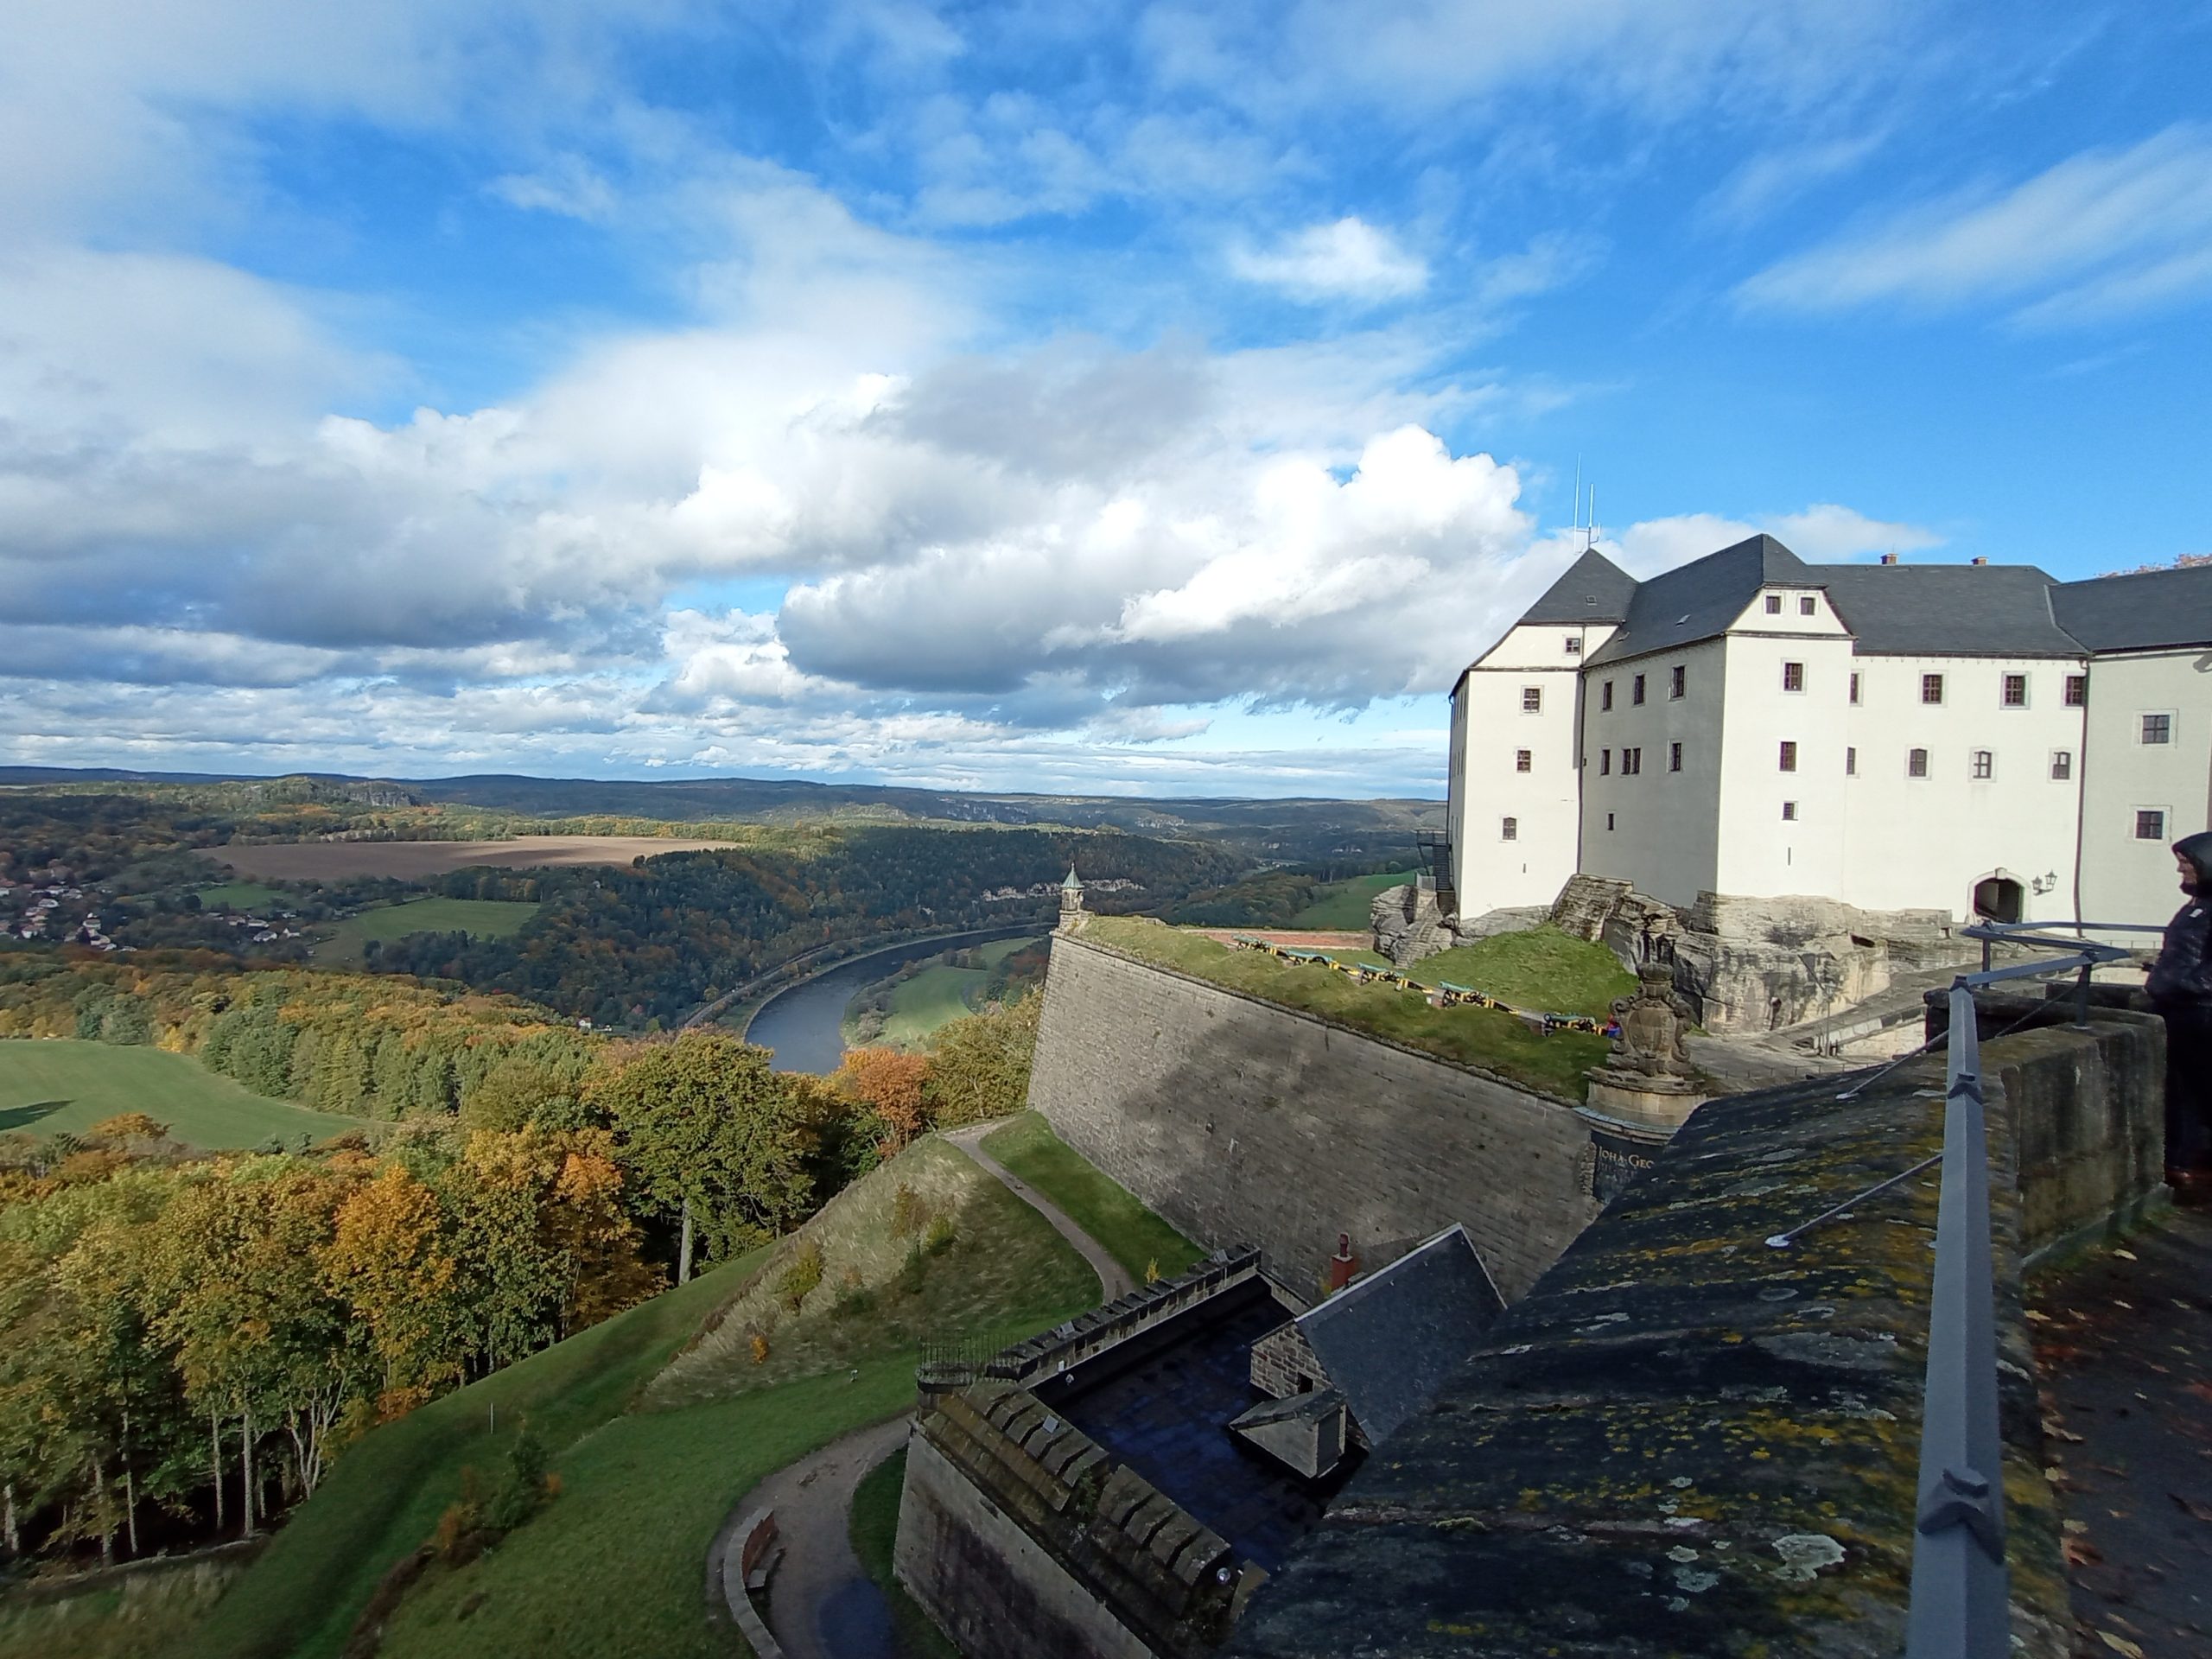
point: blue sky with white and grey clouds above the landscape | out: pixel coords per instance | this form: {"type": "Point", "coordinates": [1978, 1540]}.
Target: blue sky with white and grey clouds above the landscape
{"type": "Point", "coordinates": [1120, 399]}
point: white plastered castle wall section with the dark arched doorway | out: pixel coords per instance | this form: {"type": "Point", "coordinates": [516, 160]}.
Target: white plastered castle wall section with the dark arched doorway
{"type": "Point", "coordinates": [1923, 844]}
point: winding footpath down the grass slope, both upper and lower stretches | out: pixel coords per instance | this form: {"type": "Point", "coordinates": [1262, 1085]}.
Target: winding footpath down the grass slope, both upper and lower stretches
{"type": "Point", "coordinates": [822, 1605]}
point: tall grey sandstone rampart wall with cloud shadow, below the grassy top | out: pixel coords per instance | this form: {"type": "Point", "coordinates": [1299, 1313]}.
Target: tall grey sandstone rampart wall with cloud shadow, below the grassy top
{"type": "Point", "coordinates": [1246, 1123]}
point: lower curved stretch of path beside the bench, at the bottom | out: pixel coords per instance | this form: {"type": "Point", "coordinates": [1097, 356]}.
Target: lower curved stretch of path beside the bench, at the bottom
{"type": "Point", "coordinates": [822, 1605]}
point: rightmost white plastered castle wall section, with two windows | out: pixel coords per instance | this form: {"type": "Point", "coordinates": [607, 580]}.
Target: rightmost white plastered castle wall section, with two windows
{"type": "Point", "coordinates": [2127, 879]}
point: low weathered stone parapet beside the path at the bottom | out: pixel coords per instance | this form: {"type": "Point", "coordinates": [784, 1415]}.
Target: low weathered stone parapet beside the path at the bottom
{"type": "Point", "coordinates": [1023, 1538]}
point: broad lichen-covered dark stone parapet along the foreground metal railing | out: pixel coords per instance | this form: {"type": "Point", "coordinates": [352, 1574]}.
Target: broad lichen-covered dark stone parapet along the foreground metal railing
{"type": "Point", "coordinates": [1689, 1443]}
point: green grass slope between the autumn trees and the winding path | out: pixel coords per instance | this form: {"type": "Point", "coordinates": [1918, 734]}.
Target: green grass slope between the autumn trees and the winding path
{"type": "Point", "coordinates": [654, 1463]}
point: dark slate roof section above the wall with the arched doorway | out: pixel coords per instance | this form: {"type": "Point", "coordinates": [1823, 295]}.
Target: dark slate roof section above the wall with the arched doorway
{"type": "Point", "coordinates": [1948, 609]}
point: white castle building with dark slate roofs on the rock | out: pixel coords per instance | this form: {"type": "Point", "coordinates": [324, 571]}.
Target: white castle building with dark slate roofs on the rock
{"type": "Point", "coordinates": [1979, 740]}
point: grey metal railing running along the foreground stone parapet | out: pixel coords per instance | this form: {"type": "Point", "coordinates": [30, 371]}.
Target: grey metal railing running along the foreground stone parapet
{"type": "Point", "coordinates": [1961, 1600]}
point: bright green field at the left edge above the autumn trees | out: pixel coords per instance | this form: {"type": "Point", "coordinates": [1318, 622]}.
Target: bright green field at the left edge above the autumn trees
{"type": "Point", "coordinates": [65, 1087]}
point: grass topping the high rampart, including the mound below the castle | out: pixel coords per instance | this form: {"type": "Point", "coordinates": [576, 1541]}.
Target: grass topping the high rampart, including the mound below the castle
{"type": "Point", "coordinates": [1543, 970]}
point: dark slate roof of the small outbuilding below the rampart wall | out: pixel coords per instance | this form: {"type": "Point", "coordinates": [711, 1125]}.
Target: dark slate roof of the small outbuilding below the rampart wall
{"type": "Point", "coordinates": [1392, 1339]}
